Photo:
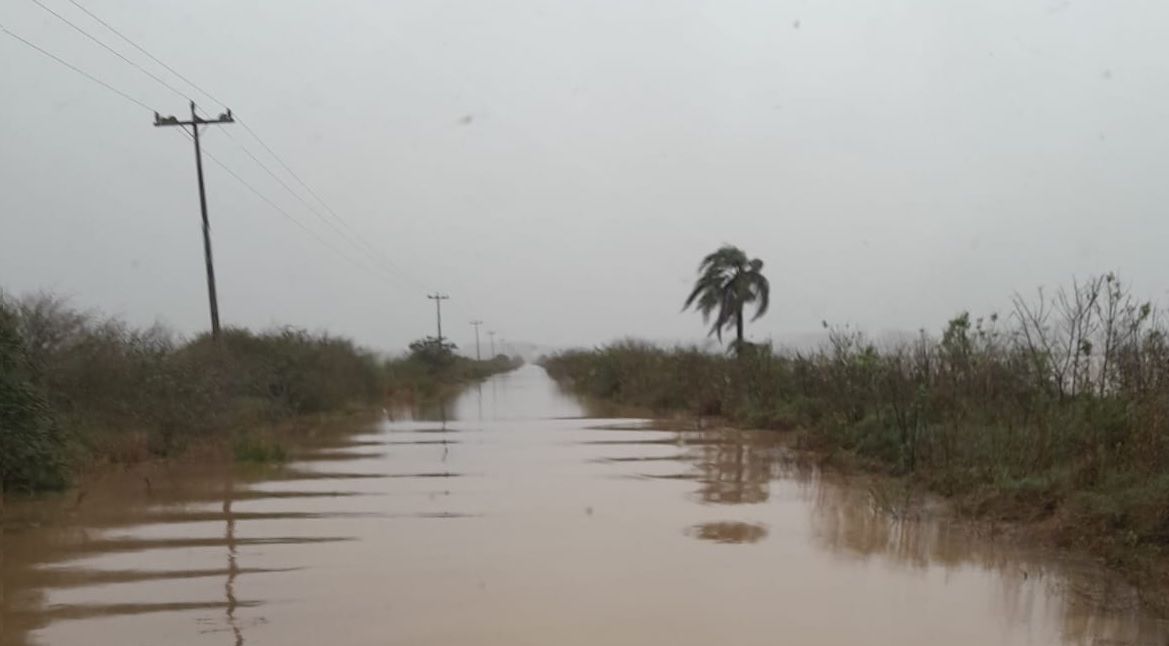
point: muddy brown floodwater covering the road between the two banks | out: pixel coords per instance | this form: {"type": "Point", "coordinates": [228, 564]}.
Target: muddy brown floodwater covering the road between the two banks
{"type": "Point", "coordinates": [518, 520]}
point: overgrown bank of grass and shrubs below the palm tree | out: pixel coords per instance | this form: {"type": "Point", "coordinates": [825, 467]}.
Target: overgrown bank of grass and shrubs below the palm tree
{"type": "Point", "coordinates": [1056, 414]}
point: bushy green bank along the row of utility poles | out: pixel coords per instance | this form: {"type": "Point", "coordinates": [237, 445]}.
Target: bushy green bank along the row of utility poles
{"type": "Point", "coordinates": [80, 390]}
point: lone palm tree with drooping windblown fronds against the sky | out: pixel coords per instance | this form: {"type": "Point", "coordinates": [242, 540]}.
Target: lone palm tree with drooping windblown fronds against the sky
{"type": "Point", "coordinates": [729, 282]}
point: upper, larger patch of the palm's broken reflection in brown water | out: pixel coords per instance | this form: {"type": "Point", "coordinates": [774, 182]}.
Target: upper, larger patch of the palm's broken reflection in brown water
{"type": "Point", "coordinates": [735, 471]}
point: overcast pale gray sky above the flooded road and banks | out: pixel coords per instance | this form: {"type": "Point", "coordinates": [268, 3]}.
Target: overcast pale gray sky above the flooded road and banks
{"type": "Point", "coordinates": [561, 168]}
